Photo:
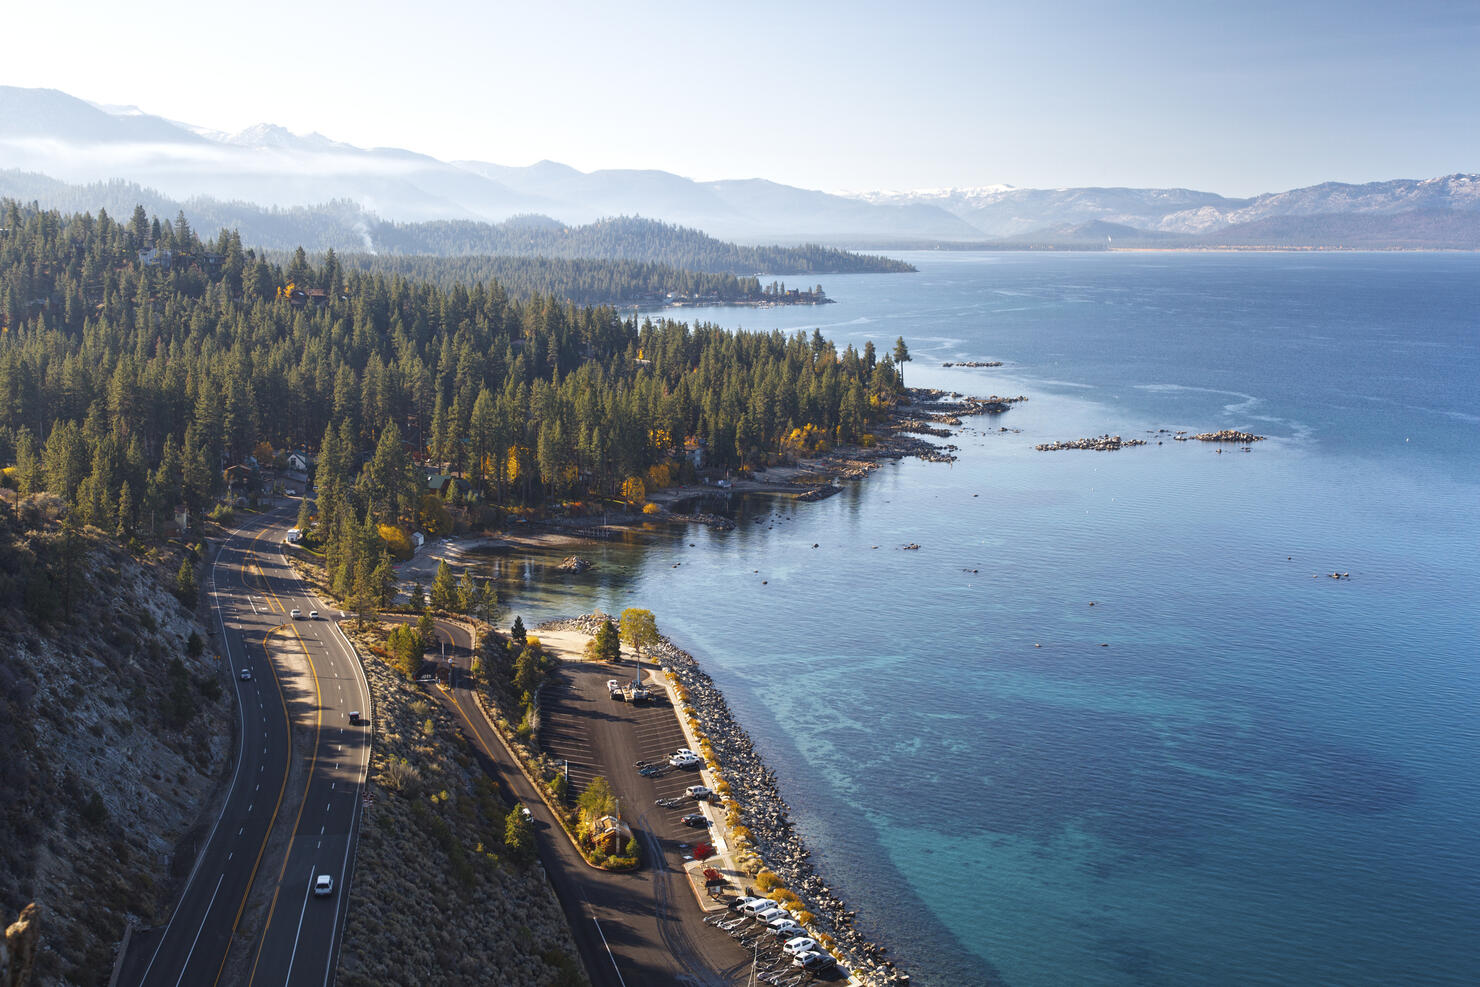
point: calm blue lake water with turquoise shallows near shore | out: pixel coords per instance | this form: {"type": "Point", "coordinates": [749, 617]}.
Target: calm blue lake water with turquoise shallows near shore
{"type": "Point", "coordinates": [1268, 776]}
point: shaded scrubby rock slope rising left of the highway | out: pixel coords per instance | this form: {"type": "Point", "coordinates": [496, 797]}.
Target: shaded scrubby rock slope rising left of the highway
{"type": "Point", "coordinates": [115, 730]}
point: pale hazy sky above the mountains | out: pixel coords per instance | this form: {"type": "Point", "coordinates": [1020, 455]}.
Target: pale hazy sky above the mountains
{"type": "Point", "coordinates": [1234, 98]}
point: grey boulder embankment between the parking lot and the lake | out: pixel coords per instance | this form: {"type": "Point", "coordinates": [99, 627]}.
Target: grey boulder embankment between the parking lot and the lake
{"type": "Point", "coordinates": [767, 816]}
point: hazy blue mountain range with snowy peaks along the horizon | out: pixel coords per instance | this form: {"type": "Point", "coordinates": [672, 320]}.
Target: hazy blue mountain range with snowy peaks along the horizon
{"type": "Point", "coordinates": [45, 132]}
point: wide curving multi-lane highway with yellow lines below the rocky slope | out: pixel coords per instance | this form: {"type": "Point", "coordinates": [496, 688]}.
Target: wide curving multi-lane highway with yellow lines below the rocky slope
{"type": "Point", "coordinates": [248, 914]}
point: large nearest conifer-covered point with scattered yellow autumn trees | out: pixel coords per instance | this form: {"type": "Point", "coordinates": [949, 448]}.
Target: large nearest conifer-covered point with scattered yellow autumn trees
{"type": "Point", "coordinates": [144, 371]}
